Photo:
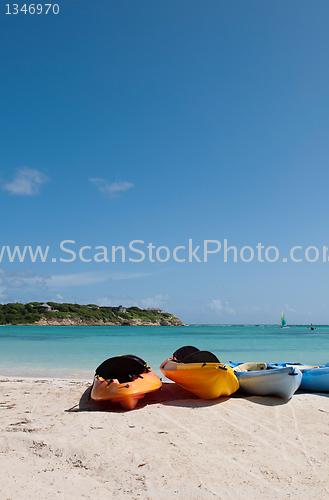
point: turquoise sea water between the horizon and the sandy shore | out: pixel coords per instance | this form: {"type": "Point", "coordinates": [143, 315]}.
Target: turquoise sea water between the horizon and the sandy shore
{"type": "Point", "coordinates": [75, 351]}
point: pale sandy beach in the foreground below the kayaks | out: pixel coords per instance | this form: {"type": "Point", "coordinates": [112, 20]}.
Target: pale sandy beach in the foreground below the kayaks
{"type": "Point", "coordinates": [55, 443]}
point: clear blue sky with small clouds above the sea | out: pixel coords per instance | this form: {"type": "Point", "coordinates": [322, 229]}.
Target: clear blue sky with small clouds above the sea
{"type": "Point", "coordinates": [164, 122]}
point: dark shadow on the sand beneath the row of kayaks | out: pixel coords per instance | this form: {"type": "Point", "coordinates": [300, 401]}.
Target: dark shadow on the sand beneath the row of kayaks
{"type": "Point", "coordinates": [170, 395]}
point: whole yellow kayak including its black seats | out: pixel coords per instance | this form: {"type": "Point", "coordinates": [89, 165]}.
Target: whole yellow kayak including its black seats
{"type": "Point", "coordinates": [200, 372]}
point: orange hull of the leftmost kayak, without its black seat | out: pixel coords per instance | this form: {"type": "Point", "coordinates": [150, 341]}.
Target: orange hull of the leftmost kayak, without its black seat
{"type": "Point", "coordinates": [128, 393]}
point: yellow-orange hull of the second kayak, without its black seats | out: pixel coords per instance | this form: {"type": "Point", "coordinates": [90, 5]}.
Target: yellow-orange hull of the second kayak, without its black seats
{"type": "Point", "coordinates": [205, 380]}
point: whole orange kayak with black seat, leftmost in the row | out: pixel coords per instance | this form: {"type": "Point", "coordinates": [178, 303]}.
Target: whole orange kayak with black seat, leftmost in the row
{"type": "Point", "coordinates": [124, 380]}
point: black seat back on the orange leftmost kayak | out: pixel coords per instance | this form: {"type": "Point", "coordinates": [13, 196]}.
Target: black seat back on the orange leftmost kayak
{"type": "Point", "coordinates": [122, 368]}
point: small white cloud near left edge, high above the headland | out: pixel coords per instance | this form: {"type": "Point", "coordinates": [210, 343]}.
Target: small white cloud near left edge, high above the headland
{"type": "Point", "coordinates": [27, 181]}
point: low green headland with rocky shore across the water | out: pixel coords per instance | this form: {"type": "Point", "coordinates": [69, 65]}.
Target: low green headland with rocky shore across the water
{"type": "Point", "coordinates": [33, 312]}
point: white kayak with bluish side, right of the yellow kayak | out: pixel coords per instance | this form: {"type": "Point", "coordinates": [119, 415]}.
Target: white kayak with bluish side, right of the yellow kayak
{"type": "Point", "coordinates": [280, 382]}
